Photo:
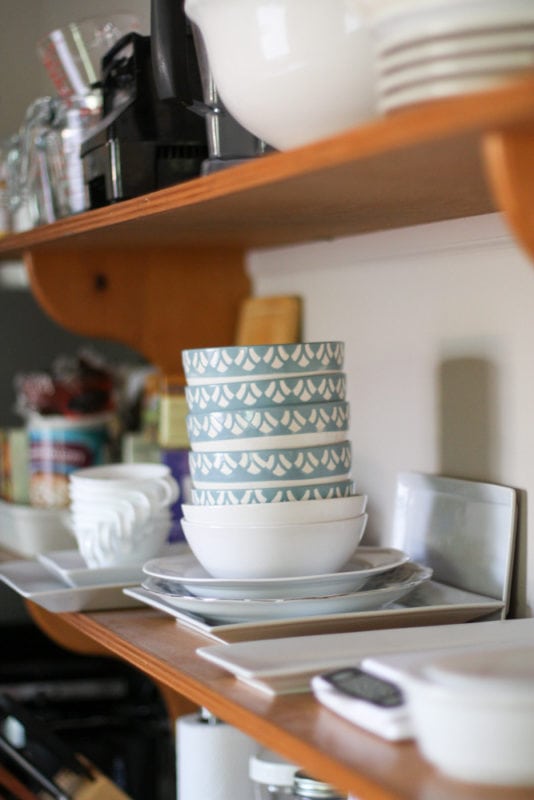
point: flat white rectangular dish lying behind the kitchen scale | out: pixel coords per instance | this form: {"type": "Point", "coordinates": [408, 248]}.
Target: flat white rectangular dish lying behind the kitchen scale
{"type": "Point", "coordinates": [285, 666]}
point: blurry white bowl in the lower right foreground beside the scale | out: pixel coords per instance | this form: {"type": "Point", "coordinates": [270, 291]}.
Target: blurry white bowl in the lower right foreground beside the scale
{"type": "Point", "coordinates": [473, 715]}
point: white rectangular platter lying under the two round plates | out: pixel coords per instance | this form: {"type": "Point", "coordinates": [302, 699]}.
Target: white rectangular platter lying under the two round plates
{"type": "Point", "coordinates": [434, 604]}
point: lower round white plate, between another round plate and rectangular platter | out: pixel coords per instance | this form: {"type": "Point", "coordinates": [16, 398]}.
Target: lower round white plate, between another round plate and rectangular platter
{"type": "Point", "coordinates": [390, 587]}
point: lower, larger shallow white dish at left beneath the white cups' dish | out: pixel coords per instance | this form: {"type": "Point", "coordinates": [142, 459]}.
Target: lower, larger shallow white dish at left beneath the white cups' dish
{"type": "Point", "coordinates": [33, 581]}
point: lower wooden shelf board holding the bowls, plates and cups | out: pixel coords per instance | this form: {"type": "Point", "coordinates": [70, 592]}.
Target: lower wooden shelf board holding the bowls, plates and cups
{"type": "Point", "coordinates": [296, 726]}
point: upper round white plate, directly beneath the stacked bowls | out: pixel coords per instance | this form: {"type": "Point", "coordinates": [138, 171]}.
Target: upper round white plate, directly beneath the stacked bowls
{"type": "Point", "coordinates": [187, 573]}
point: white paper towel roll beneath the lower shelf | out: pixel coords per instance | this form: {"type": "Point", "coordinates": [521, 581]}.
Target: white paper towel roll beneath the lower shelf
{"type": "Point", "coordinates": [212, 760]}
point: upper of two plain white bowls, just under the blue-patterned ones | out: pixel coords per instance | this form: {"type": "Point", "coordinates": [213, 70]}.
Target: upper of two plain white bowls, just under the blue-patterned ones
{"type": "Point", "coordinates": [277, 513]}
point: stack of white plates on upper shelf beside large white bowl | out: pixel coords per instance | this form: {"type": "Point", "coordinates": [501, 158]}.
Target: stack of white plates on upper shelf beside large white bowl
{"type": "Point", "coordinates": [431, 49]}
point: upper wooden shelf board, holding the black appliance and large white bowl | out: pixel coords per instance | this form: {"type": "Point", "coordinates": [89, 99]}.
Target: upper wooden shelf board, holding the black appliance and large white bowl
{"type": "Point", "coordinates": [420, 165]}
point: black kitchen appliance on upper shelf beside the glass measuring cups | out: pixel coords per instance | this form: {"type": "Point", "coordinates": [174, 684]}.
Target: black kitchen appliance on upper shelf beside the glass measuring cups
{"type": "Point", "coordinates": [148, 138]}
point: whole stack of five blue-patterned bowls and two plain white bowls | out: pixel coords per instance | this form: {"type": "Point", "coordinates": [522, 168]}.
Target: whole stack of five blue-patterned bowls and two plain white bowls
{"type": "Point", "coordinates": [273, 494]}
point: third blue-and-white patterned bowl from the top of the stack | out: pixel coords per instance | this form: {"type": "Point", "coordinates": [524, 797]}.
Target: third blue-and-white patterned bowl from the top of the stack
{"type": "Point", "coordinates": [310, 418]}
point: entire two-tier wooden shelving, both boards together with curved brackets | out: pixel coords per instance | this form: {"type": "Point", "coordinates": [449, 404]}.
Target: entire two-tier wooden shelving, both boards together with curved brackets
{"type": "Point", "coordinates": [166, 271]}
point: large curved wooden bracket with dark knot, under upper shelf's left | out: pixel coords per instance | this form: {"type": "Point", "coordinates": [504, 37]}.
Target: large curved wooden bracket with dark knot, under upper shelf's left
{"type": "Point", "coordinates": [157, 300]}
